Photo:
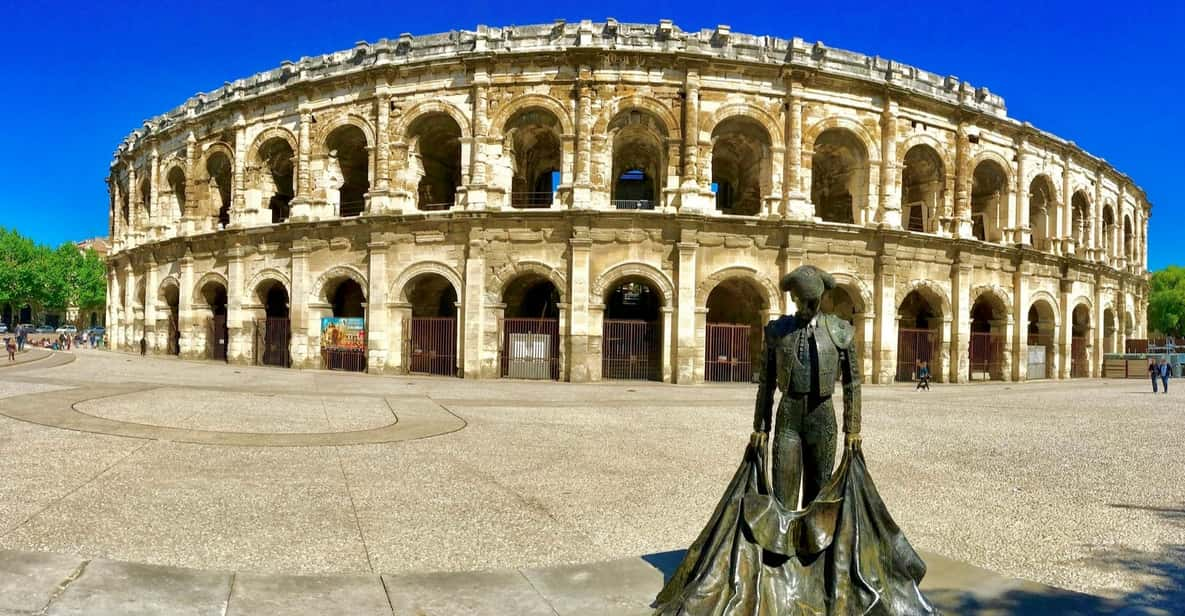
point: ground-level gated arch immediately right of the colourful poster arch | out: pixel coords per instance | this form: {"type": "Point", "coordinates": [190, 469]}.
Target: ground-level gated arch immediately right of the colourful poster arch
{"type": "Point", "coordinates": [432, 332]}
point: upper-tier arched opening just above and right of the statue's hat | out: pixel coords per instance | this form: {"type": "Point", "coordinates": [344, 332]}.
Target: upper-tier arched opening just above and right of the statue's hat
{"type": "Point", "coordinates": [840, 176]}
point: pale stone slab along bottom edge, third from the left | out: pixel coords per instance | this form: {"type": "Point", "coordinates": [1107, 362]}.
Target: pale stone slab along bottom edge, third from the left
{"type": "Point", "coordinates": [258, 595]}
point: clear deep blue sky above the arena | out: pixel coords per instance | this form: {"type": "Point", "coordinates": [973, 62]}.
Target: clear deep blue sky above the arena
{"type": "Point", "coordinates": [79, 78]}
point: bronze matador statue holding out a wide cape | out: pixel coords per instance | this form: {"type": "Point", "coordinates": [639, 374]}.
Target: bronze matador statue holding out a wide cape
{"type": "Point", "coordinates": [842, 554]}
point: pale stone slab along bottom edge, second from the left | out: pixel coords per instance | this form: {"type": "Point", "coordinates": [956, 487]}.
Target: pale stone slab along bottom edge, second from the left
{"type": "Point", "coordinates": [129, 589]}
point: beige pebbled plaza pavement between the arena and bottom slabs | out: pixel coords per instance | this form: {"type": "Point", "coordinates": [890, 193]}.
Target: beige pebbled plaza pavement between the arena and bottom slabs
{"type": "Point", "coordinates": [264, 471]}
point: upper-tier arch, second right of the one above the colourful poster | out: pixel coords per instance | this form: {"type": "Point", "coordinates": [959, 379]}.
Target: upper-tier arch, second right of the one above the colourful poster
{"type": "Point", "coordinates": [533, 143]}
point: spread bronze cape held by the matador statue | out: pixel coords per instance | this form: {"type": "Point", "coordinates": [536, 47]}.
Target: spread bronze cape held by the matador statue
{"type": "Point", "coordinates": [843, 555]}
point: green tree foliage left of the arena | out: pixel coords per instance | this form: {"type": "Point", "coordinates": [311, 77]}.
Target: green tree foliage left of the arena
{"type": "Point", "coordinates": [53, 279]}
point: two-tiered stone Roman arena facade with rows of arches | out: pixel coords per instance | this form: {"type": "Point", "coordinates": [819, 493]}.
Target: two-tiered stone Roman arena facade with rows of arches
{"type": "Point", "coordinates": [598, 201]}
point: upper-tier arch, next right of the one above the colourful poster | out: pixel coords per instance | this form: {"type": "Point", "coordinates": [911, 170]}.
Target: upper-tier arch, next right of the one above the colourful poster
{"type": "Point", "coordinates": [435, 159]}
